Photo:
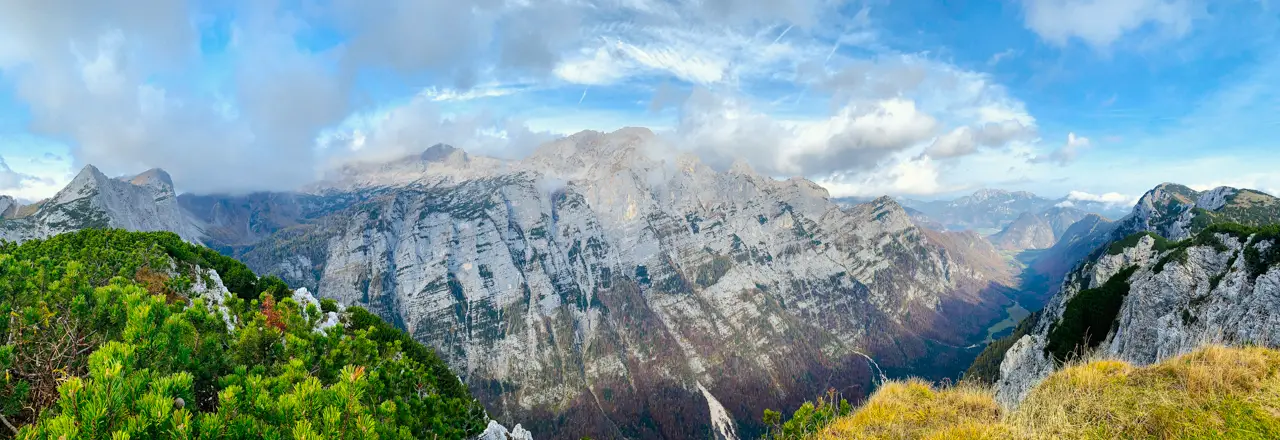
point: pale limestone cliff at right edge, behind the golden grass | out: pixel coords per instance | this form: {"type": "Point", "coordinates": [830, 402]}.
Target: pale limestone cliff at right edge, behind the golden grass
{"type": "Point", "coordinates": [1212, 288]}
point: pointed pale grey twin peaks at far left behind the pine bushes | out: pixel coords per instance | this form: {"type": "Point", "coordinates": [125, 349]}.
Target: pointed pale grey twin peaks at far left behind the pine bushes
{"type": "Point", "coordinates": [93, 200]}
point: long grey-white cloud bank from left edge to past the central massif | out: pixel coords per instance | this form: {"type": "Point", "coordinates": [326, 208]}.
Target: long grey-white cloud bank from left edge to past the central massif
{"type": "Point", "coordinates": [89, 77]}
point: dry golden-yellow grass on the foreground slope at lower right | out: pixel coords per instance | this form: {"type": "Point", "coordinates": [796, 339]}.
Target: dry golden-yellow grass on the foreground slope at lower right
{"type": "Point", "coordinates": [1214, 393]}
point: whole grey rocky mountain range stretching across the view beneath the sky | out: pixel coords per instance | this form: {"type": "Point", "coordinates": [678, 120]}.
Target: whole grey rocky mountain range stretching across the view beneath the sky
{"type": "Point", "coordinates": [604, 286]}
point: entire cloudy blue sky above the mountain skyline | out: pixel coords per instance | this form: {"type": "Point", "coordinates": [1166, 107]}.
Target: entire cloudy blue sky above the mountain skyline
{"type": "Point", "coordinates": [924, 99]}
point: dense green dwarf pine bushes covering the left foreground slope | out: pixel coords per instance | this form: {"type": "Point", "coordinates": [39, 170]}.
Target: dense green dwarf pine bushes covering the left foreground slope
{"type": "Point", "coordinates": [106, 340]}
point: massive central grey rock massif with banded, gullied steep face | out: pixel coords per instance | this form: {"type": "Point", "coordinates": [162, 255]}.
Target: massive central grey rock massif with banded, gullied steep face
{"type": "Point", "coordinates": [596, 290]}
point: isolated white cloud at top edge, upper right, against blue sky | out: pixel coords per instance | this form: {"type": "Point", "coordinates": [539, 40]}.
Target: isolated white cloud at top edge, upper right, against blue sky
{"type": "Point", "coordinates": [1101, 22]}
